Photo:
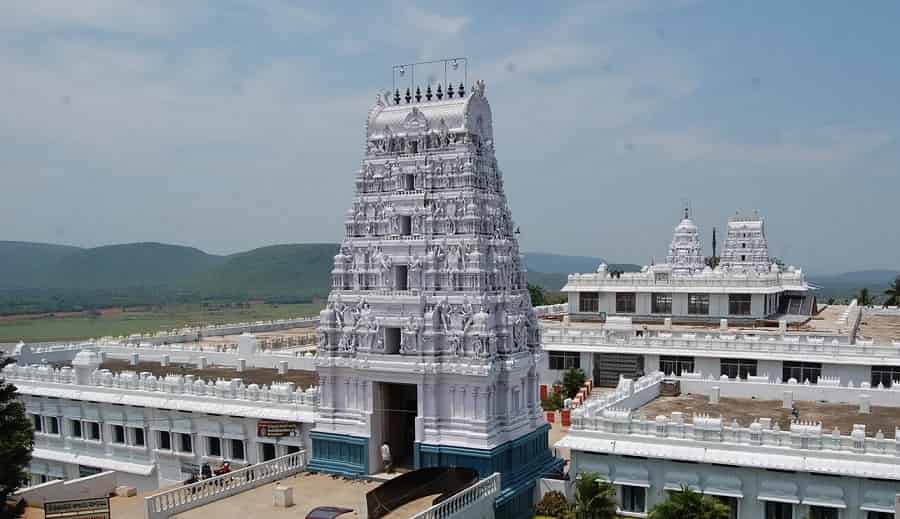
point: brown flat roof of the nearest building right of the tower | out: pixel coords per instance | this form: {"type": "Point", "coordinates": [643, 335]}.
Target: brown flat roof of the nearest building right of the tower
{"type": "Point", "coordinates": [746, 411]}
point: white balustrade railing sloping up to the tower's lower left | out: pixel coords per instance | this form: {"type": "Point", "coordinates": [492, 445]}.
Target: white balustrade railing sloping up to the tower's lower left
{"type": "Point", "coordinates": [186, 497]}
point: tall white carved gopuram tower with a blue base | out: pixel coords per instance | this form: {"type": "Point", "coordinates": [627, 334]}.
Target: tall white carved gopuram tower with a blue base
{"type": "Point", "coordinates": [428, 342]}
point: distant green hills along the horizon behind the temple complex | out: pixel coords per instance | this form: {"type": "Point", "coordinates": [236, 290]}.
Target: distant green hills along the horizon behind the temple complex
{"type": "Point", "coordinates": [38, 277]}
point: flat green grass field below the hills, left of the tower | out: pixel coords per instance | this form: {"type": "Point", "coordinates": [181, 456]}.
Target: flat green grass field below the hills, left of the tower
{"type": "Point", "coordinates": [83, 326]}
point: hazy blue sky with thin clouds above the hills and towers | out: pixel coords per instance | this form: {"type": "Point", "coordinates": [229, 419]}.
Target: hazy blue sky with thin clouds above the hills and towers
{"type": "Point", "coordinates": [233, 124]}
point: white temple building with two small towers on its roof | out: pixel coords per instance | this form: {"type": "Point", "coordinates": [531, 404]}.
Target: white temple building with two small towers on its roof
{"type": "Point", "coordinates": [743, 285]}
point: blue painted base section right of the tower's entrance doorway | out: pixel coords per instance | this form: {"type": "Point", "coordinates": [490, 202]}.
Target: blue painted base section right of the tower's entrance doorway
{"type": "Point", "coordinates": [519, 462]}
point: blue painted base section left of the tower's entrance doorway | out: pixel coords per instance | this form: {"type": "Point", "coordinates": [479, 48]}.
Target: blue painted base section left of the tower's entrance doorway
{"type": "Point", "coordinates": [340, 454]}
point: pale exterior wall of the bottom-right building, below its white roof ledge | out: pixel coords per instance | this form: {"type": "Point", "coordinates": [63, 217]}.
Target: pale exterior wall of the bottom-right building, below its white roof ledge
{"type": "Point", "coordinates": [854, 490]}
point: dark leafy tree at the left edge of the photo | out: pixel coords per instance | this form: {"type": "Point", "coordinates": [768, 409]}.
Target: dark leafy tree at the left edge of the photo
{"type": "Point", "coordinates": [16, 442]}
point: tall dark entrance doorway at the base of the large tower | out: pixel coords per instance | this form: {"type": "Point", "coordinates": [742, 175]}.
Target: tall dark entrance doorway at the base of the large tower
{"type": "Point", "coordinates": [398, 421]}
